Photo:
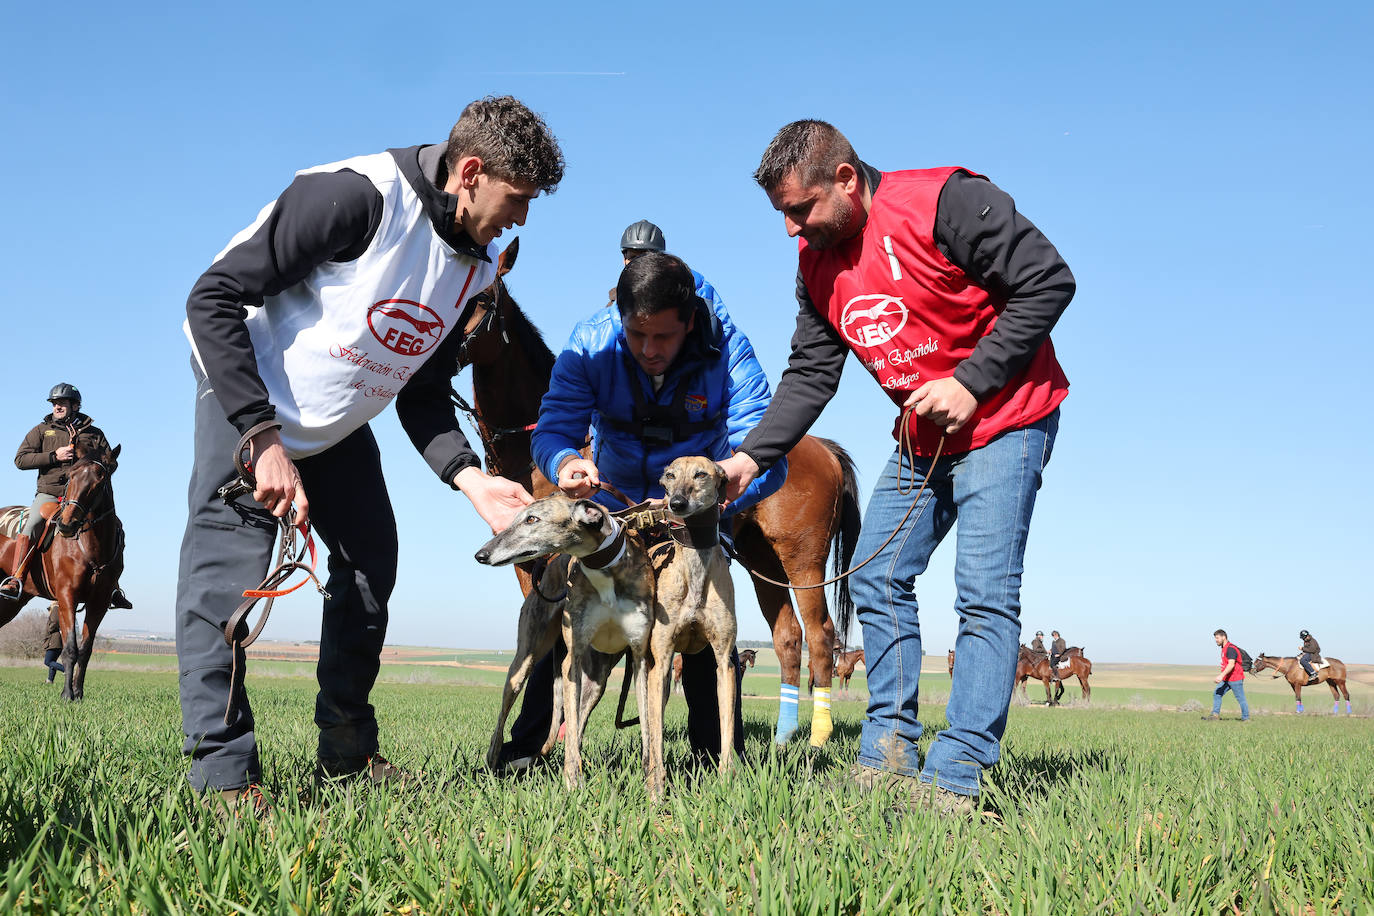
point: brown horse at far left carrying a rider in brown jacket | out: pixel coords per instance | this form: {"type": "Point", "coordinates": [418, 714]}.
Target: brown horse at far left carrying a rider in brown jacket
{"type": "Point", "coordinates": [83, 564]}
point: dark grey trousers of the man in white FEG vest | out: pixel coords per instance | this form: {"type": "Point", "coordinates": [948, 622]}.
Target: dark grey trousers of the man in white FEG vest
{"type": "Point", "coordinates": [227, 549]}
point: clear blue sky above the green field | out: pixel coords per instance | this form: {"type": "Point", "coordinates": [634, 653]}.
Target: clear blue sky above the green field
{"type": "Point", "coordinates": [1204, 168]}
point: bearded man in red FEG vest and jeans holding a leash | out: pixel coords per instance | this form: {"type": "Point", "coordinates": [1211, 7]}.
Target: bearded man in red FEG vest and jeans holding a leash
{"type": "Point", "coordinates": [947, 296]}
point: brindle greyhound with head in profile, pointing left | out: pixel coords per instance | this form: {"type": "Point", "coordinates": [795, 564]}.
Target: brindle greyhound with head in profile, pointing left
{"type": "Point", "coordinates": [608, 610]}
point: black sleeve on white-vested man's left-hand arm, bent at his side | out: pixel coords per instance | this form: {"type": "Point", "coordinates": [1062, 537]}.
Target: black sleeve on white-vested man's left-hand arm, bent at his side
{"type": "Point", "coordinates": [325, 216]}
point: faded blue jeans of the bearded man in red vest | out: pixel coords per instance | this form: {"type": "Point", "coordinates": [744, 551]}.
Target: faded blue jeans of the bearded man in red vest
{"type": "Point", "coordinates": [991, 492]}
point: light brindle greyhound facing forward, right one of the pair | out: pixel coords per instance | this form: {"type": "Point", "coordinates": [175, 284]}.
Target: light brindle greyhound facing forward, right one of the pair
{"type": "Point", "coordinates": [695, 606]}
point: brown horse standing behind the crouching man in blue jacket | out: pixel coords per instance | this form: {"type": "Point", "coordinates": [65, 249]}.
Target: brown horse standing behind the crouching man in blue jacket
{"type": "Point", "coordinates": [788, 536]}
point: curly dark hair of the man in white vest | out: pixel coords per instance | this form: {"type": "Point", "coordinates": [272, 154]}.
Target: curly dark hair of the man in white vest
{"type": "Point", "coordinates": [513, 144]}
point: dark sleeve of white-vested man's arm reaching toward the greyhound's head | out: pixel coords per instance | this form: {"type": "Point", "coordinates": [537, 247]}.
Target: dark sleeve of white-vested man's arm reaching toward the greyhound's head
{"type": "Point", "coordinates": [428, 415]}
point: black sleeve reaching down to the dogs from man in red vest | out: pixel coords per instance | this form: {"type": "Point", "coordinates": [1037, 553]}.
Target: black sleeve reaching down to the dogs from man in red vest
{"type": "Point", "coordinates": [810, 381]}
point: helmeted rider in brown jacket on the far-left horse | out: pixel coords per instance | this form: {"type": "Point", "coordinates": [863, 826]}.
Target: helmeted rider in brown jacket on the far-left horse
{"type": "Point", "coordinates": [50, 448]}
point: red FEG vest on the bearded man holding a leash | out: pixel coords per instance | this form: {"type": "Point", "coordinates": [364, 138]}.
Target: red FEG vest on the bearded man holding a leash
{"type": "Point", "coordinates": [912, 317]}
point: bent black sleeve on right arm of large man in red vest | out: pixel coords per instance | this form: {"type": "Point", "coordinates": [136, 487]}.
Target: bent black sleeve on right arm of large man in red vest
{"type": "Point", "coordinates": [979, 229]}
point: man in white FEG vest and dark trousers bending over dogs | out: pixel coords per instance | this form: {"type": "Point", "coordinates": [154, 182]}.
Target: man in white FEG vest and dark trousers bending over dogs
{"type": "Point", "coordinates": [343, 297]}
